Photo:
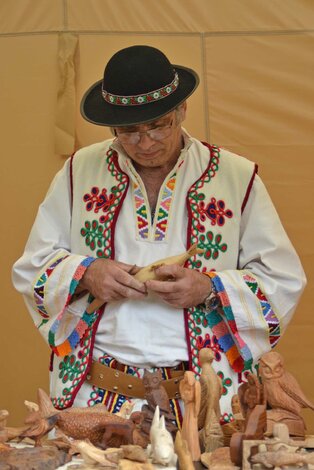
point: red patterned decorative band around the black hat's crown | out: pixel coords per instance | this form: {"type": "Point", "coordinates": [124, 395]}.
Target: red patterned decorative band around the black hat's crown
{"type": "Point", "coordinates": [144, 98]}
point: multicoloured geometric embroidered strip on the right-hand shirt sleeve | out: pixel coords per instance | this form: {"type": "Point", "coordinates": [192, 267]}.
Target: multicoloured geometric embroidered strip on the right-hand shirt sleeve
{"type": "Point", "coordinates": [269, 315]}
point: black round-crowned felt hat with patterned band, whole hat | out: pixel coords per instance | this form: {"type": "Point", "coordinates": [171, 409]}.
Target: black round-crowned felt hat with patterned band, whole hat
{"type": "Point", "coordinates": [139, 85]}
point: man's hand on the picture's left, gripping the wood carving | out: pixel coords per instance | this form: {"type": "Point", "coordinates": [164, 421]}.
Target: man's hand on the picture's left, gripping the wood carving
{"type": "Point", "coordinates": [109, 280]}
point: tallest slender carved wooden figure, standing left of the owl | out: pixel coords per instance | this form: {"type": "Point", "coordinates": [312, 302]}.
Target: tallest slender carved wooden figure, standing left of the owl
{"type": "Point", "coordinates": [211, 435]}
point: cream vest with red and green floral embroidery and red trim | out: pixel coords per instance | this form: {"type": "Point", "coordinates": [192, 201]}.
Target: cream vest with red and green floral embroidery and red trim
{"type": "Point", "coordinates": [218, 192]}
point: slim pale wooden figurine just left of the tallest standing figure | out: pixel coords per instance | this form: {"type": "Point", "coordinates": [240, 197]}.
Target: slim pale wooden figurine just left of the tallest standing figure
{"type": "Point", "coordinates": [190, 390]}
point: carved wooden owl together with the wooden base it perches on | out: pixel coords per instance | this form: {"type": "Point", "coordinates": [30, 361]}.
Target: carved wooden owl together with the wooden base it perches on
{"type": "Point", "coordinates": [283, 394]}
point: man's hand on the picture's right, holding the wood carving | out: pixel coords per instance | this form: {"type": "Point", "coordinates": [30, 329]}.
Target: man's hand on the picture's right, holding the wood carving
{"type": "Point", "coordinates": [185, 287]}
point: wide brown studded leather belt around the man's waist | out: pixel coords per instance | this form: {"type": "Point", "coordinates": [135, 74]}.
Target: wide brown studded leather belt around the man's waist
{"type": "Point", "coordinates": [116, 381]}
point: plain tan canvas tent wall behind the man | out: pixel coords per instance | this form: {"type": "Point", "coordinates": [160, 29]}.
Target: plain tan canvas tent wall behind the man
{"type": "Point", "coordinates": [256, 97]}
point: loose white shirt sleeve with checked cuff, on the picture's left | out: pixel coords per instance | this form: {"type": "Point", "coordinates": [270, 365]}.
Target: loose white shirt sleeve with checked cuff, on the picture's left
{"type": "Point", "coordinates": [48, 273]}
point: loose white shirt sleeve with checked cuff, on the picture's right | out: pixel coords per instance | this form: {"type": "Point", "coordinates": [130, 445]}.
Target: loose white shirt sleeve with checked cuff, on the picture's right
{"type": "Point", "coordinates": [259, 298]}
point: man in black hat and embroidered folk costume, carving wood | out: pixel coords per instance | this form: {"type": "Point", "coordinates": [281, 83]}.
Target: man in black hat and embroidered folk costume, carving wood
{"type": "Point", "coordinates": [151, 192]}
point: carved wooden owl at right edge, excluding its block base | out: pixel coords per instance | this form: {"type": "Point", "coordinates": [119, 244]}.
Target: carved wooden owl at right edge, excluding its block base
{"type": "Point", "coordinates": [281, 388]}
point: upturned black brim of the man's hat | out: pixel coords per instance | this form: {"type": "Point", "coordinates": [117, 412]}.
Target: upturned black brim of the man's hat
{"type": "Point", "coordinates": [97, 111]}
